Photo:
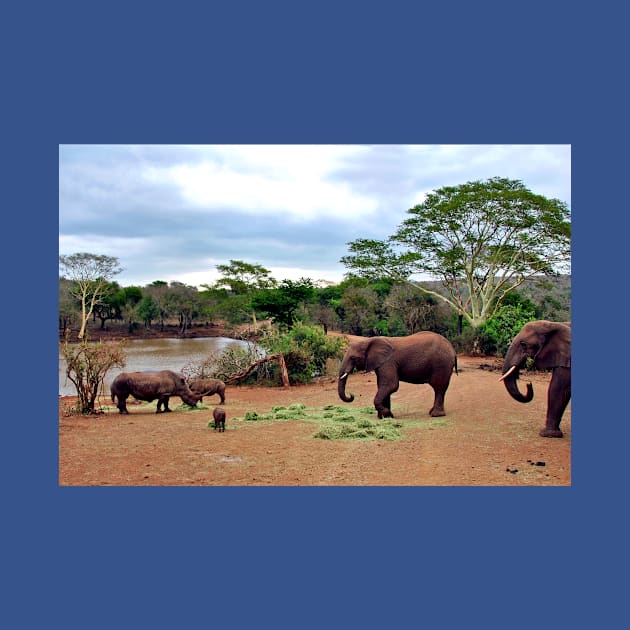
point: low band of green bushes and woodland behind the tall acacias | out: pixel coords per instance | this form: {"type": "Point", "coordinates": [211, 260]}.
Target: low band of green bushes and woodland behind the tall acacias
{"type": "Point", "coordinates": [357, 306]}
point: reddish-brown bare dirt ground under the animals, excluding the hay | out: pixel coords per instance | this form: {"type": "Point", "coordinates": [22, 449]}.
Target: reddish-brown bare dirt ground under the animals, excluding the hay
{"type": "Point", "coordinates": [487, 439]}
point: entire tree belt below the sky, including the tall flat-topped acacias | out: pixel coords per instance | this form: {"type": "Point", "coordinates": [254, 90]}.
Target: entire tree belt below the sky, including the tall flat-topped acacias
{"type": "Point", "coordinates": [485, 242]}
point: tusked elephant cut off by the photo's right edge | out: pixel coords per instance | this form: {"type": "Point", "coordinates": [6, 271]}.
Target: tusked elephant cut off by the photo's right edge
{"type": "Point", "coordinates": [549, 345]}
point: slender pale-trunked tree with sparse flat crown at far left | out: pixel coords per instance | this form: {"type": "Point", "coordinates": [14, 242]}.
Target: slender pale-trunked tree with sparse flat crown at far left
{"type": "Point", "coordinates": [90, 274]}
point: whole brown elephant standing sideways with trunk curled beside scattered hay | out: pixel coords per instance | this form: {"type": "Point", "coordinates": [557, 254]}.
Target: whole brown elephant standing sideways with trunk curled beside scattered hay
{"type": "Point", "coordinates": [424, 357]}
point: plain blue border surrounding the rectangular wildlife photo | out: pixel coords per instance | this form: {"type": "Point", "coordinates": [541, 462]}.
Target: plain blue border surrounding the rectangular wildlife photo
{"type": "Point", "coordinates": [288, 72]}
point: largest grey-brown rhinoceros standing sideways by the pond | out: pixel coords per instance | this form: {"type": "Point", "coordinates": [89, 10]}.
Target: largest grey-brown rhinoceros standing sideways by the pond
{"type": "Point", "coordinates": [149, 386]}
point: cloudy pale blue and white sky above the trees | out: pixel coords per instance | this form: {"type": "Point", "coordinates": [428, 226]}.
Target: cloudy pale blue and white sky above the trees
{"type": "Point", "coordinates": [174, 212]}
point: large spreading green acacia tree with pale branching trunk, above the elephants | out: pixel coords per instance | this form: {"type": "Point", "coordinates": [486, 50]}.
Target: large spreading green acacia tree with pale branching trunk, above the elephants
{"type": "Point", "coordinates": [481, 239]}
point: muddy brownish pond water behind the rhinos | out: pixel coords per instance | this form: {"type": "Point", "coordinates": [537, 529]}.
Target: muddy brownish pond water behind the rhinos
{"type": "Point", "coordinates": [157, 354]}
